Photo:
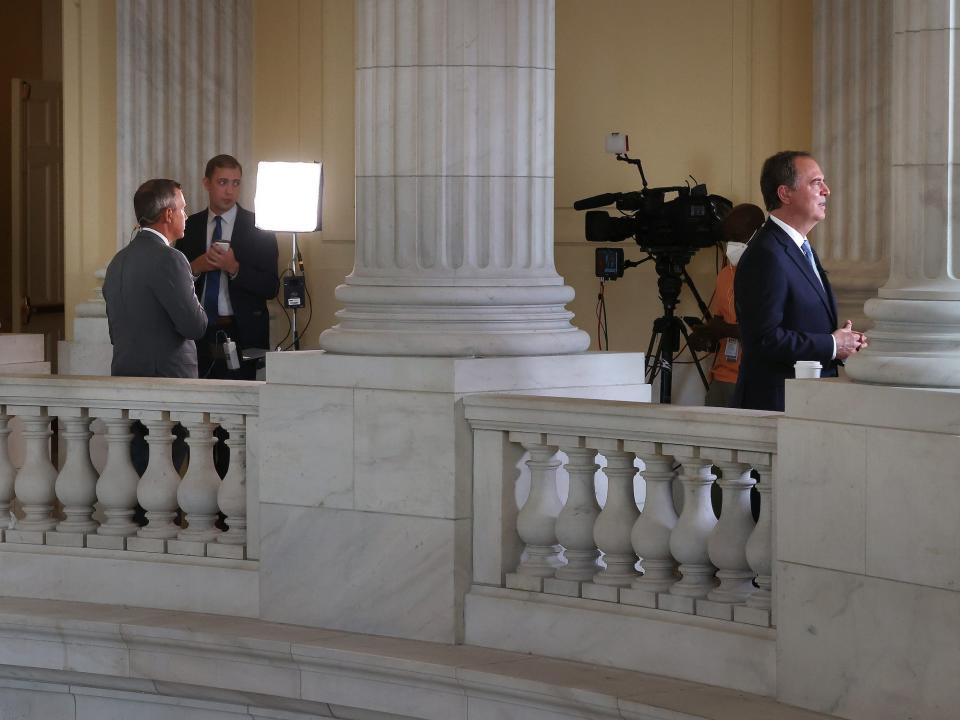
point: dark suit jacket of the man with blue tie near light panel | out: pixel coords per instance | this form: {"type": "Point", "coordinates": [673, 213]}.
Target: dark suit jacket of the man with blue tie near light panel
{"type": "Point", "coordinates": [255, 283]}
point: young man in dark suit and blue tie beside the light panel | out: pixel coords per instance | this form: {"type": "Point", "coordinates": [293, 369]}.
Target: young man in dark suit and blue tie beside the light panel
{"type": "Point", "coordinates": [235, 268]}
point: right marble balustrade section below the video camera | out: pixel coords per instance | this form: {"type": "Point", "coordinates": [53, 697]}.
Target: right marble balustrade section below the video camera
{"type": "Point", "coordinates": [663, 539]}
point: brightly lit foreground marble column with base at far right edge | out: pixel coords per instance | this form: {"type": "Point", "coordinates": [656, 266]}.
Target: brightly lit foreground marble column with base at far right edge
{"type": "Point", "coordinates": [916, 337]}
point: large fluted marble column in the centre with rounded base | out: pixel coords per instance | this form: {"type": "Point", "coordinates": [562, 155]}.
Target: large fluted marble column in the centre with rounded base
{"type": "Point", "coordinates": [454, 246]}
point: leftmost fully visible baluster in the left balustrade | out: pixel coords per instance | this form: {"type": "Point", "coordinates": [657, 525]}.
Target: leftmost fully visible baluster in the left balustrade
{"type": "Point", "coordinates": [34, 483]}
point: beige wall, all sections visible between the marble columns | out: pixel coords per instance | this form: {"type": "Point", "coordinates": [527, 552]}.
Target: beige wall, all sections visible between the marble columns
{"type": "Point", "coordinates": [706, 87]}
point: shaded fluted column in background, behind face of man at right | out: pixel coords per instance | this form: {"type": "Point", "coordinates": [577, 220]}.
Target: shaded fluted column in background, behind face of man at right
{"type": "Point", "coordinates": [852, 75]}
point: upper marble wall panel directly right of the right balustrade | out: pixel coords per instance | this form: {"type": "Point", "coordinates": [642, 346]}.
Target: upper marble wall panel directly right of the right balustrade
{"type": "Point", "coordinates": [821, 494]}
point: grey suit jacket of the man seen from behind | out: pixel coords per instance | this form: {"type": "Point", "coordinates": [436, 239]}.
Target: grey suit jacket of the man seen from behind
{"type": "Point", "coordinates": [152, 312]}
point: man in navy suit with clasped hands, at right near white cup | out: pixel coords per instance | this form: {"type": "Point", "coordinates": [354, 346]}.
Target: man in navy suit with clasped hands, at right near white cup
{"type": "Point", "coordinates": [785, 306]}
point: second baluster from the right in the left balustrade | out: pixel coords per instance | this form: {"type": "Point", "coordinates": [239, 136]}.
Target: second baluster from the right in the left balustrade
{"type": "Point", "coordinates": [197, 493]}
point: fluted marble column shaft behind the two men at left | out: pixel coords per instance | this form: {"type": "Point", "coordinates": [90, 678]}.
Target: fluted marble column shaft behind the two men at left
{"type": "Point", "coordinates": [184, 93]}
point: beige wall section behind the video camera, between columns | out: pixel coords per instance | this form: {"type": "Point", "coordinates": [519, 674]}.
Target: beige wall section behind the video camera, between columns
{"type": "Point", "coordinates": [703, 87]}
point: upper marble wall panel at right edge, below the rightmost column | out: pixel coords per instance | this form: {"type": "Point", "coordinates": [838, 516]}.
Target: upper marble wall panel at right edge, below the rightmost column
{"type": "Point", "coordinates": [913, 502]}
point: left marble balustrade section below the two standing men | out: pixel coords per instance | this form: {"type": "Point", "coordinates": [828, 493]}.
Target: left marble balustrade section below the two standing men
{"type": "Point", "coordinates": [77, 486]}
